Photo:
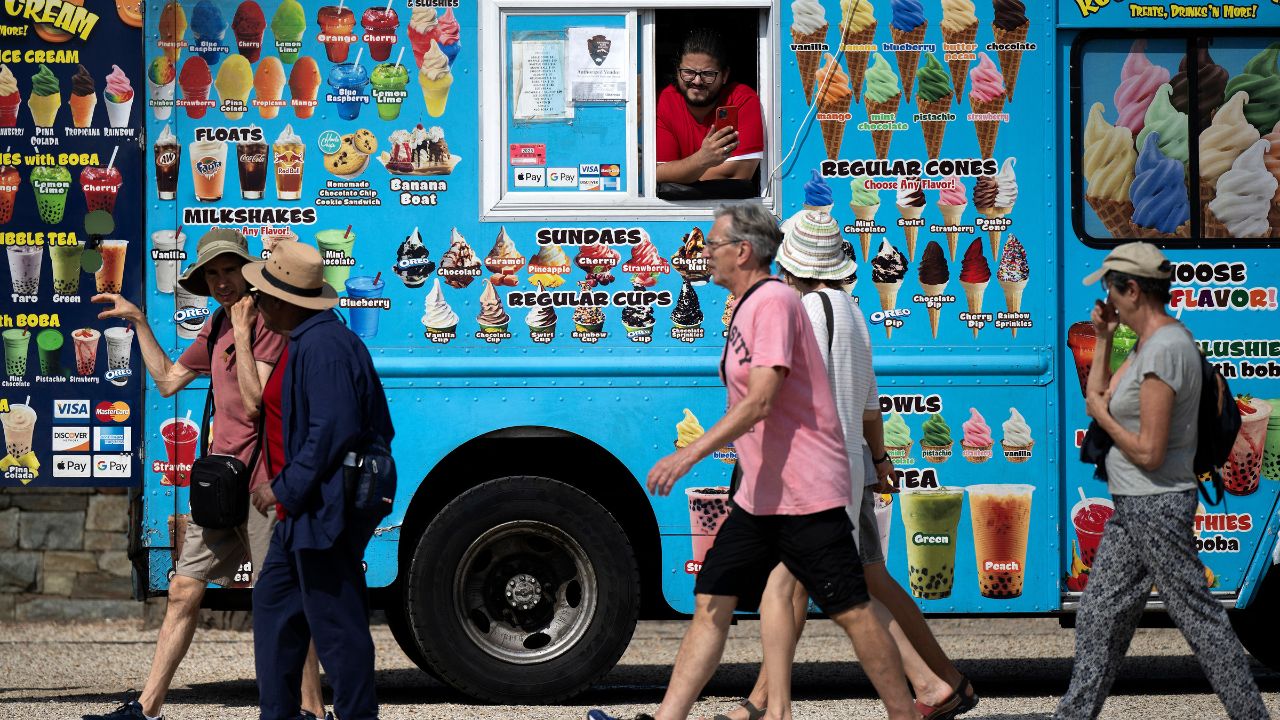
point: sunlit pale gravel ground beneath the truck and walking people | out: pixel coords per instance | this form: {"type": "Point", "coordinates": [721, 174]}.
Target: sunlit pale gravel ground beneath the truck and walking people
{"type": "Point", "coordinates": [1020, 667]}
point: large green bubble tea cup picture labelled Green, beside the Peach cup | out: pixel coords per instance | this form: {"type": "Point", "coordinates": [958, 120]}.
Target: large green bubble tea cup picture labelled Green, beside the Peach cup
{"type": "Point", "coordinates": [931, 518]}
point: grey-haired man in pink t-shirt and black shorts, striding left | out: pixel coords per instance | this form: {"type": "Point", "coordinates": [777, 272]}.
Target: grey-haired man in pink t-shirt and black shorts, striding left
{"type": "Point", "coordinates": [793, 485]}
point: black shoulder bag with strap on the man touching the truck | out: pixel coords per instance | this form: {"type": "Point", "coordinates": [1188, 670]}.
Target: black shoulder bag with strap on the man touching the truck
{"type": "Point", "coordinates": [220, 484]}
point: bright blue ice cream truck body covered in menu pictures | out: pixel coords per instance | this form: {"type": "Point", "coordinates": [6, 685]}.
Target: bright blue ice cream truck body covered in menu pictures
{"type": "Point", "coordinates": [932, 138]}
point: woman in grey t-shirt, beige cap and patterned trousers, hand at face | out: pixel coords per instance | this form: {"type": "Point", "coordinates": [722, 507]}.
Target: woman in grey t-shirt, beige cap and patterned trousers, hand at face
{"type": "Point", "coordinates": [1150, 409]}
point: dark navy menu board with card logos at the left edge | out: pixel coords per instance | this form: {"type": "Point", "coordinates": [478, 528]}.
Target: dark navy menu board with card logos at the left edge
{"type": "Point", "coordinates": [71, 224]}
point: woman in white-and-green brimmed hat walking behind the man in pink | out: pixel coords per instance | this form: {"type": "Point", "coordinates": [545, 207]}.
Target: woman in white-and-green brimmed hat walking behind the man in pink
{"type": "Point", "coordinates": [812, 261]}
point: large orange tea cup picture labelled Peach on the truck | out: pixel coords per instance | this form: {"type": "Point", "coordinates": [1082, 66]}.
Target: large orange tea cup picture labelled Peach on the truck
{"type": "Point", "coordinates": [1002, 518]}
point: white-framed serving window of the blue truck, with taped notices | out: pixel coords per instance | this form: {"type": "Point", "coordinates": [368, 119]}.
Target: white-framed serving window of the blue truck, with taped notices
{"type": "Point", "coordinates": [577, 130]}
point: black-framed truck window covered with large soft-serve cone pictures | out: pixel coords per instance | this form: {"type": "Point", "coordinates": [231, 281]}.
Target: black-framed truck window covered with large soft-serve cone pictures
{"type": "Point", "coordinates": [1169, 143]}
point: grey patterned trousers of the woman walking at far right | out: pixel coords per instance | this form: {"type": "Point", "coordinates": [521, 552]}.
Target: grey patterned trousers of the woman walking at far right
{"type": "Point", "coordinates": [1151, 541]}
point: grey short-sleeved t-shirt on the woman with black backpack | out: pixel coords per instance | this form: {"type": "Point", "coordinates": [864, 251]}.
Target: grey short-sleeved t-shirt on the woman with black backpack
{"type": "Point", "coordinates": [1171, 356]}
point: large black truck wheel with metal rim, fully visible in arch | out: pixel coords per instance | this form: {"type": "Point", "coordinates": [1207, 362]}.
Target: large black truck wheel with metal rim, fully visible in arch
{"type": "Point", "coordinates": [523, 591]}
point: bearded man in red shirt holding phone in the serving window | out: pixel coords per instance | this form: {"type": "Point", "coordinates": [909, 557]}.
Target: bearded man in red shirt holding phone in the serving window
{"type": "Point", "coordinates": [689, 148]}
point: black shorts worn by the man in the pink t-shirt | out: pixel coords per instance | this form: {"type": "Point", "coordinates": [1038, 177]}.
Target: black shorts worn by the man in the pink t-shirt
{"type": "Point", "coordinates": [817, 549]}
